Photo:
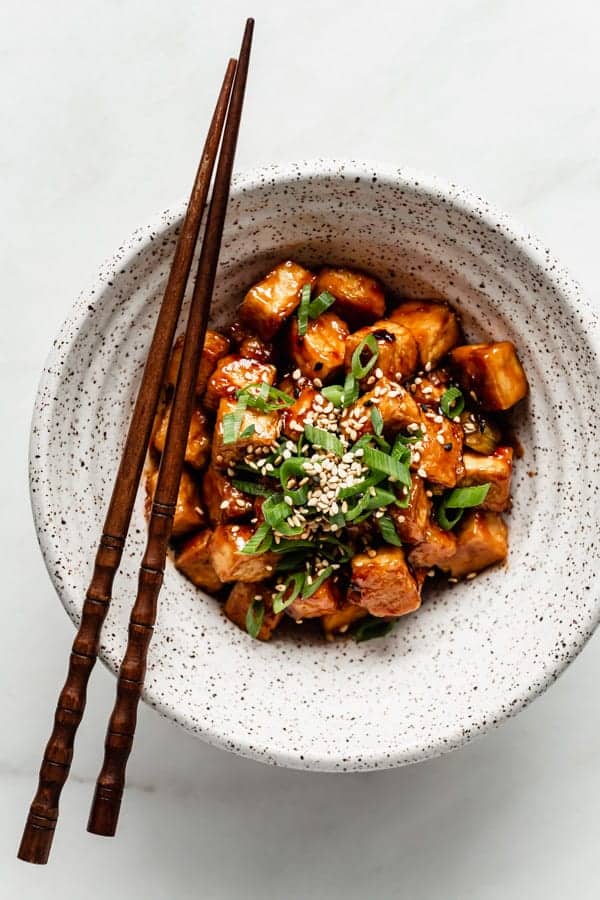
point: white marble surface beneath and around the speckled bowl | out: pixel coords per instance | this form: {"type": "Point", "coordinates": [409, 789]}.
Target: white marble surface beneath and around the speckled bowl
{"type": "Point", "coordinates": [103, 109]}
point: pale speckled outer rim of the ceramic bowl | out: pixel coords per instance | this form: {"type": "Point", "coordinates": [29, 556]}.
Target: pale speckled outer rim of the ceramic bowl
{"type": "Point", "coordinates": [439, 189]}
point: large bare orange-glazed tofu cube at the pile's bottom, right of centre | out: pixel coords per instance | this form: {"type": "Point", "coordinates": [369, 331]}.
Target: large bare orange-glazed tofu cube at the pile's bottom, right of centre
{"type": "Point", "coordinates": [383, 584]}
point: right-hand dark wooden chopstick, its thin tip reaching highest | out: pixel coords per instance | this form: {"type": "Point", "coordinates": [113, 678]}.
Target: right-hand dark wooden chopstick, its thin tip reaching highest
{"type": "Point", "coordinates": [121, 729]}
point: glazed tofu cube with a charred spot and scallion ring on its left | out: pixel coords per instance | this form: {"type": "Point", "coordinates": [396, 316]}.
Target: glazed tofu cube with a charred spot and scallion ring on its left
{"type": "Point", "coordinates": [397, 349]}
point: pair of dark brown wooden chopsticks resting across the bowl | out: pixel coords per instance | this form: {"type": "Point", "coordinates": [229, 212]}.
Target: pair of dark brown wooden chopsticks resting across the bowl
{"type": "Point", "coordinates": [43, 814]}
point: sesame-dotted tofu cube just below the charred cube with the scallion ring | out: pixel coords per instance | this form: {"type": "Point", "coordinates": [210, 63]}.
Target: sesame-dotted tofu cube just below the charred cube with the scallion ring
{"type": "Point", "coordinates": [396, 405]}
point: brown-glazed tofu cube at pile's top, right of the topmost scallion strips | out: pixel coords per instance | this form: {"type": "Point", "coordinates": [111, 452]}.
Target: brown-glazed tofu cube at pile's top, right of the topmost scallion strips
{"type": "Point", "coordinates": [359, 299]}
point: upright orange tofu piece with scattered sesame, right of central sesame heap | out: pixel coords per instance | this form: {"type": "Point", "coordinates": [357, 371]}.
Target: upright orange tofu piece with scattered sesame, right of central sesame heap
{"type": "Point", "coordinates": [440, 460]}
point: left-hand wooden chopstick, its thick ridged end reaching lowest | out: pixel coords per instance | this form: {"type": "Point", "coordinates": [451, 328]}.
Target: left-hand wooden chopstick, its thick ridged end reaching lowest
{"type": "Point", "coordinates": [43, 813]}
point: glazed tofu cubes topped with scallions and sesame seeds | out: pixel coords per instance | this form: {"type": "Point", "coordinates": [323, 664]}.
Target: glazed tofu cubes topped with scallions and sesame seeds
{"type": "Point", "coordinates": [344, 447]}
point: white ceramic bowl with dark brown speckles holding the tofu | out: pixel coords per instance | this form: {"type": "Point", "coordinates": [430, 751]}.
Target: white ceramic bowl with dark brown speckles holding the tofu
{"type": "Point", "coordinates": [475, 653]}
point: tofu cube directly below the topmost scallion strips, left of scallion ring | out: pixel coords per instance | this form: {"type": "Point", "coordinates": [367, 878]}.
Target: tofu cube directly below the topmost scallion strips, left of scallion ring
{"type": "Point", "coordinates": [320, 353]}
